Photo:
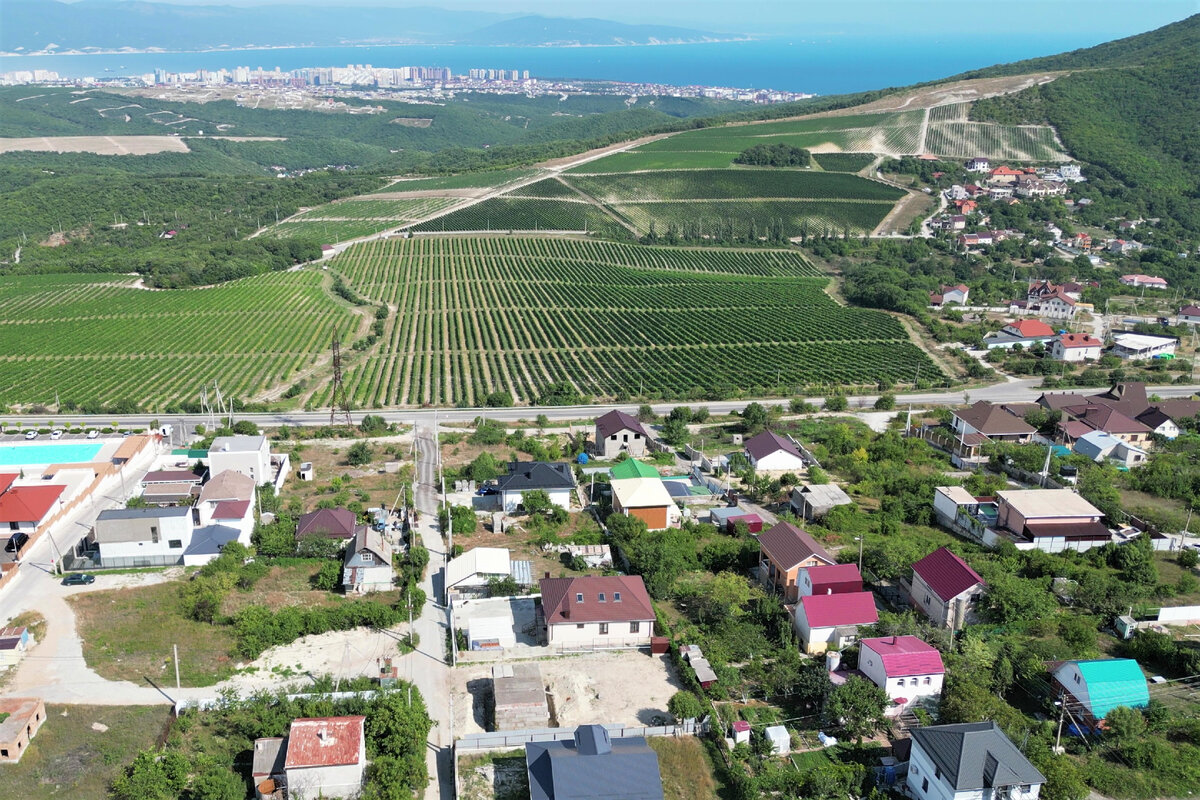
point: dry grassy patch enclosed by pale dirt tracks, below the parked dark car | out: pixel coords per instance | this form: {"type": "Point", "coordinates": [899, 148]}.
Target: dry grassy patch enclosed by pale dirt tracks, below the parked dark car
{"type": "Point", "coordinates": [128, 635]}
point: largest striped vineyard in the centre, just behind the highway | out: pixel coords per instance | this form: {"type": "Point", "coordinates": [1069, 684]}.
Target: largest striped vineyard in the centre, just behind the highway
{"type": "Point", "coordinates": [477, 316]}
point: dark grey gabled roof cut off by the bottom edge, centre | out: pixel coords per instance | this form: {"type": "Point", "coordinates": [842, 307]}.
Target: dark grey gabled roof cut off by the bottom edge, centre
{"type": "Point", "coordinates": [593, 767]}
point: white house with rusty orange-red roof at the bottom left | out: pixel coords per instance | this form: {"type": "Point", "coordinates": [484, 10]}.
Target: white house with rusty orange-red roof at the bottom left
{"type": "Point", "coordinates": [326, 759]}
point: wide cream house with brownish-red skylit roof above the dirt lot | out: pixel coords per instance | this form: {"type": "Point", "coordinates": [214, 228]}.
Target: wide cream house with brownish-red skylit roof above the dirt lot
{"type": "Point", "coordinates": [597, 612]}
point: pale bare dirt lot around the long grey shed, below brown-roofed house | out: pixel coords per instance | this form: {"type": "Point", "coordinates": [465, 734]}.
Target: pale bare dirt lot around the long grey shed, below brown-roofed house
{"type": "Point", "coordinates": [628, 687]}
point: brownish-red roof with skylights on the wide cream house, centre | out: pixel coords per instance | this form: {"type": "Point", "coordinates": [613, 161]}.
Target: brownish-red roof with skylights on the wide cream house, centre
{"type": "Point", "coordinates": [560, 600]}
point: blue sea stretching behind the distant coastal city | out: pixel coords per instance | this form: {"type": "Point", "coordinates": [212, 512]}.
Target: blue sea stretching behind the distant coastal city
{"type": "Point", "coordinates": [820, 65]}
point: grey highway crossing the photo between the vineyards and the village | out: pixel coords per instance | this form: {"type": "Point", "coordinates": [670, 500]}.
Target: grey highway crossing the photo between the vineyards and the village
{"type": "Point", "coordinates": [1015, 392]}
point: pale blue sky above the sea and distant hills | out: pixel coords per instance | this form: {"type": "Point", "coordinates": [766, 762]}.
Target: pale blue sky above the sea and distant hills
{"type": "Point", "coordinates": [1109, 19]}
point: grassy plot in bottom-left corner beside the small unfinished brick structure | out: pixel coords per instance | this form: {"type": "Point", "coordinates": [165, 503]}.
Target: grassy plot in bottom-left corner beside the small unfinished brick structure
{"type": "Point", "coordinates": [70, 759]}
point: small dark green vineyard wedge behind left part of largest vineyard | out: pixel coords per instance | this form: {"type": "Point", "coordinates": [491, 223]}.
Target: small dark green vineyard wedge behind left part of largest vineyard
{"type": "Point", "coordinates": [503, 214]}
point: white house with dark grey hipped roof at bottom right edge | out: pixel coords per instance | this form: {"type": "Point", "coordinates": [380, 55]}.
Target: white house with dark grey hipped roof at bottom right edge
{"type": "Point", "coordinates": [969, 762]}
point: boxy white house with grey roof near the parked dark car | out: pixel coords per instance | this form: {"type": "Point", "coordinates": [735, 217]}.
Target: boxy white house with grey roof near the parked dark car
{"type": "Point", "coordinates": [152, 537]}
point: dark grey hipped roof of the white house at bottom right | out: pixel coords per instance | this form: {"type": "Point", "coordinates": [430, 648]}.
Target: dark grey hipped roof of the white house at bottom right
{"type": "Point", "coordinates": [976, 756]}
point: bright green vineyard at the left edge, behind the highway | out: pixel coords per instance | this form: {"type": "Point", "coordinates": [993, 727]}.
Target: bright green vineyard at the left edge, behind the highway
{"type": "Point", "coordinates": [93, 341]}
